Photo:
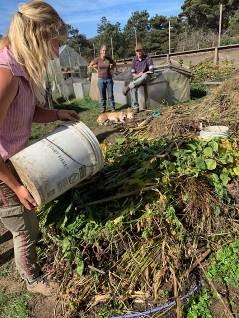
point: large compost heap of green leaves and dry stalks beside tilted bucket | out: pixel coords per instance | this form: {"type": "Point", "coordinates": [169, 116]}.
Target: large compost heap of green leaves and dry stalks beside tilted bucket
{"type": "Point", "coordinates": [135, 235]}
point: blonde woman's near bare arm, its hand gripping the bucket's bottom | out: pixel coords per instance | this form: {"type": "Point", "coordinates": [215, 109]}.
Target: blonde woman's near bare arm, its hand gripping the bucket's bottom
{"type": "Point", "coordinates": [8, 91]}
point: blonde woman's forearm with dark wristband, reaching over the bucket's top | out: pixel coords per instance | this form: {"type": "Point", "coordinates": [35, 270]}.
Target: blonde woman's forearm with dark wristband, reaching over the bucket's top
{"type": "Point", "coordinates": [43, 115]}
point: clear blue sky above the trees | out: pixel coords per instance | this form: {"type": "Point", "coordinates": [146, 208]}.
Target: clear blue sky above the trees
{"type": "Point", "coordinates": [86, 14]}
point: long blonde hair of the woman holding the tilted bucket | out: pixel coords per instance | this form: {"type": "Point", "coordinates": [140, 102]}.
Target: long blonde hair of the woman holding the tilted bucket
{"type": "Point", "coordinates": [29, 36]}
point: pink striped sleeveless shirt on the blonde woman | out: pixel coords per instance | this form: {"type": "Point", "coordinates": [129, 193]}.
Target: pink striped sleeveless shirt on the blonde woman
{"type": "Point", "coordinates": [16, 128]}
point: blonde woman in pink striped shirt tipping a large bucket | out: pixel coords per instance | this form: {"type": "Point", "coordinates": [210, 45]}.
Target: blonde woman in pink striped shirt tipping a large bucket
{"type": "Point", "coordinates": [33, 39]}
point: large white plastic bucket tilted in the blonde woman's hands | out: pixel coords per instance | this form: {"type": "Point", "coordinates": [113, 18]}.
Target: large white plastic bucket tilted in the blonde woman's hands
{"type": "Point", "coordinates": [53, 165]}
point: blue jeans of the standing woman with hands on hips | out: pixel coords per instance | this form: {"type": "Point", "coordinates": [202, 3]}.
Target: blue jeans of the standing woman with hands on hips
{"type": "Point", "coordinates": [106, 84]}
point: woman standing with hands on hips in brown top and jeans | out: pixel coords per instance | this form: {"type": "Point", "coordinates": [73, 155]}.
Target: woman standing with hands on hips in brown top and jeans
{"type": "Point", "coordinates": [103, 65]}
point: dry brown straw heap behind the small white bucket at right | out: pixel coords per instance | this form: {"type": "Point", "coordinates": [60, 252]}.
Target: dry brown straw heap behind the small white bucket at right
{"type": "Point", "coordinates": [219, 108]}
